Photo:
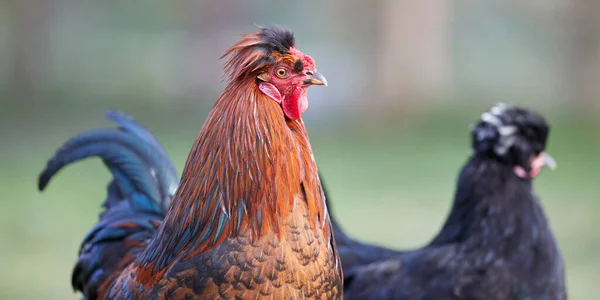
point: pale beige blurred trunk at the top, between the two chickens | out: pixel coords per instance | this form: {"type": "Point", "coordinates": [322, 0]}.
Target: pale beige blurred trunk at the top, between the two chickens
{"type": "Point", "coordinates": [413, 50]}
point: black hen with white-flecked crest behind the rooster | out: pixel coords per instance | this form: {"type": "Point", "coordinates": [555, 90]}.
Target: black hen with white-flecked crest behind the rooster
{"type": "Point", "coordinates": [496, 242]}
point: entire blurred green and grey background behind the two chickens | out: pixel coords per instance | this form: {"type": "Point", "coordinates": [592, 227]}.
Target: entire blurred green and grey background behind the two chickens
{"type": "Point", "coordinates": [389, 133]}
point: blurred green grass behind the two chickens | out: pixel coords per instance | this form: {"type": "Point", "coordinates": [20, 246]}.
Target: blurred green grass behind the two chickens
{"type": "Point", "coordinates": [390, 184]}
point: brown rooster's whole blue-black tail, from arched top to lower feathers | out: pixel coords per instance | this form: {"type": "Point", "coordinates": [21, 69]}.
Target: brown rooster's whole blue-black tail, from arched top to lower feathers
{"type": "Point", "coordinates": [144, 181]}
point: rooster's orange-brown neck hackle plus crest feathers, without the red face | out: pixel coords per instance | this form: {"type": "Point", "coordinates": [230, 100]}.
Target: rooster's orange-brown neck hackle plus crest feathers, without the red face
{"type": "Point", "coordinates": [248, 166]}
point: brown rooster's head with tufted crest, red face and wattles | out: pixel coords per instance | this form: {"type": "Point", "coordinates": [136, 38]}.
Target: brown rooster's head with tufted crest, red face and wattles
{"type": "Point", "coordinates": [282, 72]}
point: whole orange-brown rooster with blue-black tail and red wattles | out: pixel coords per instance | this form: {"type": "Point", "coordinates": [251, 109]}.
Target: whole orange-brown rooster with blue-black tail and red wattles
{"type": "Point", "coordinates": [248, 219]}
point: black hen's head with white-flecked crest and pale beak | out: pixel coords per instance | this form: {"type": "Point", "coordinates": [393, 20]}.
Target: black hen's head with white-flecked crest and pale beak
{"type": "Point", "coordinates": [515, 136]}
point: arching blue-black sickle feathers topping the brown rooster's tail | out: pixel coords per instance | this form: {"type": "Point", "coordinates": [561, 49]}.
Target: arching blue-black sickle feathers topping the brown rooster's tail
{"type": "Point", "coordinates": [135, 158]}
